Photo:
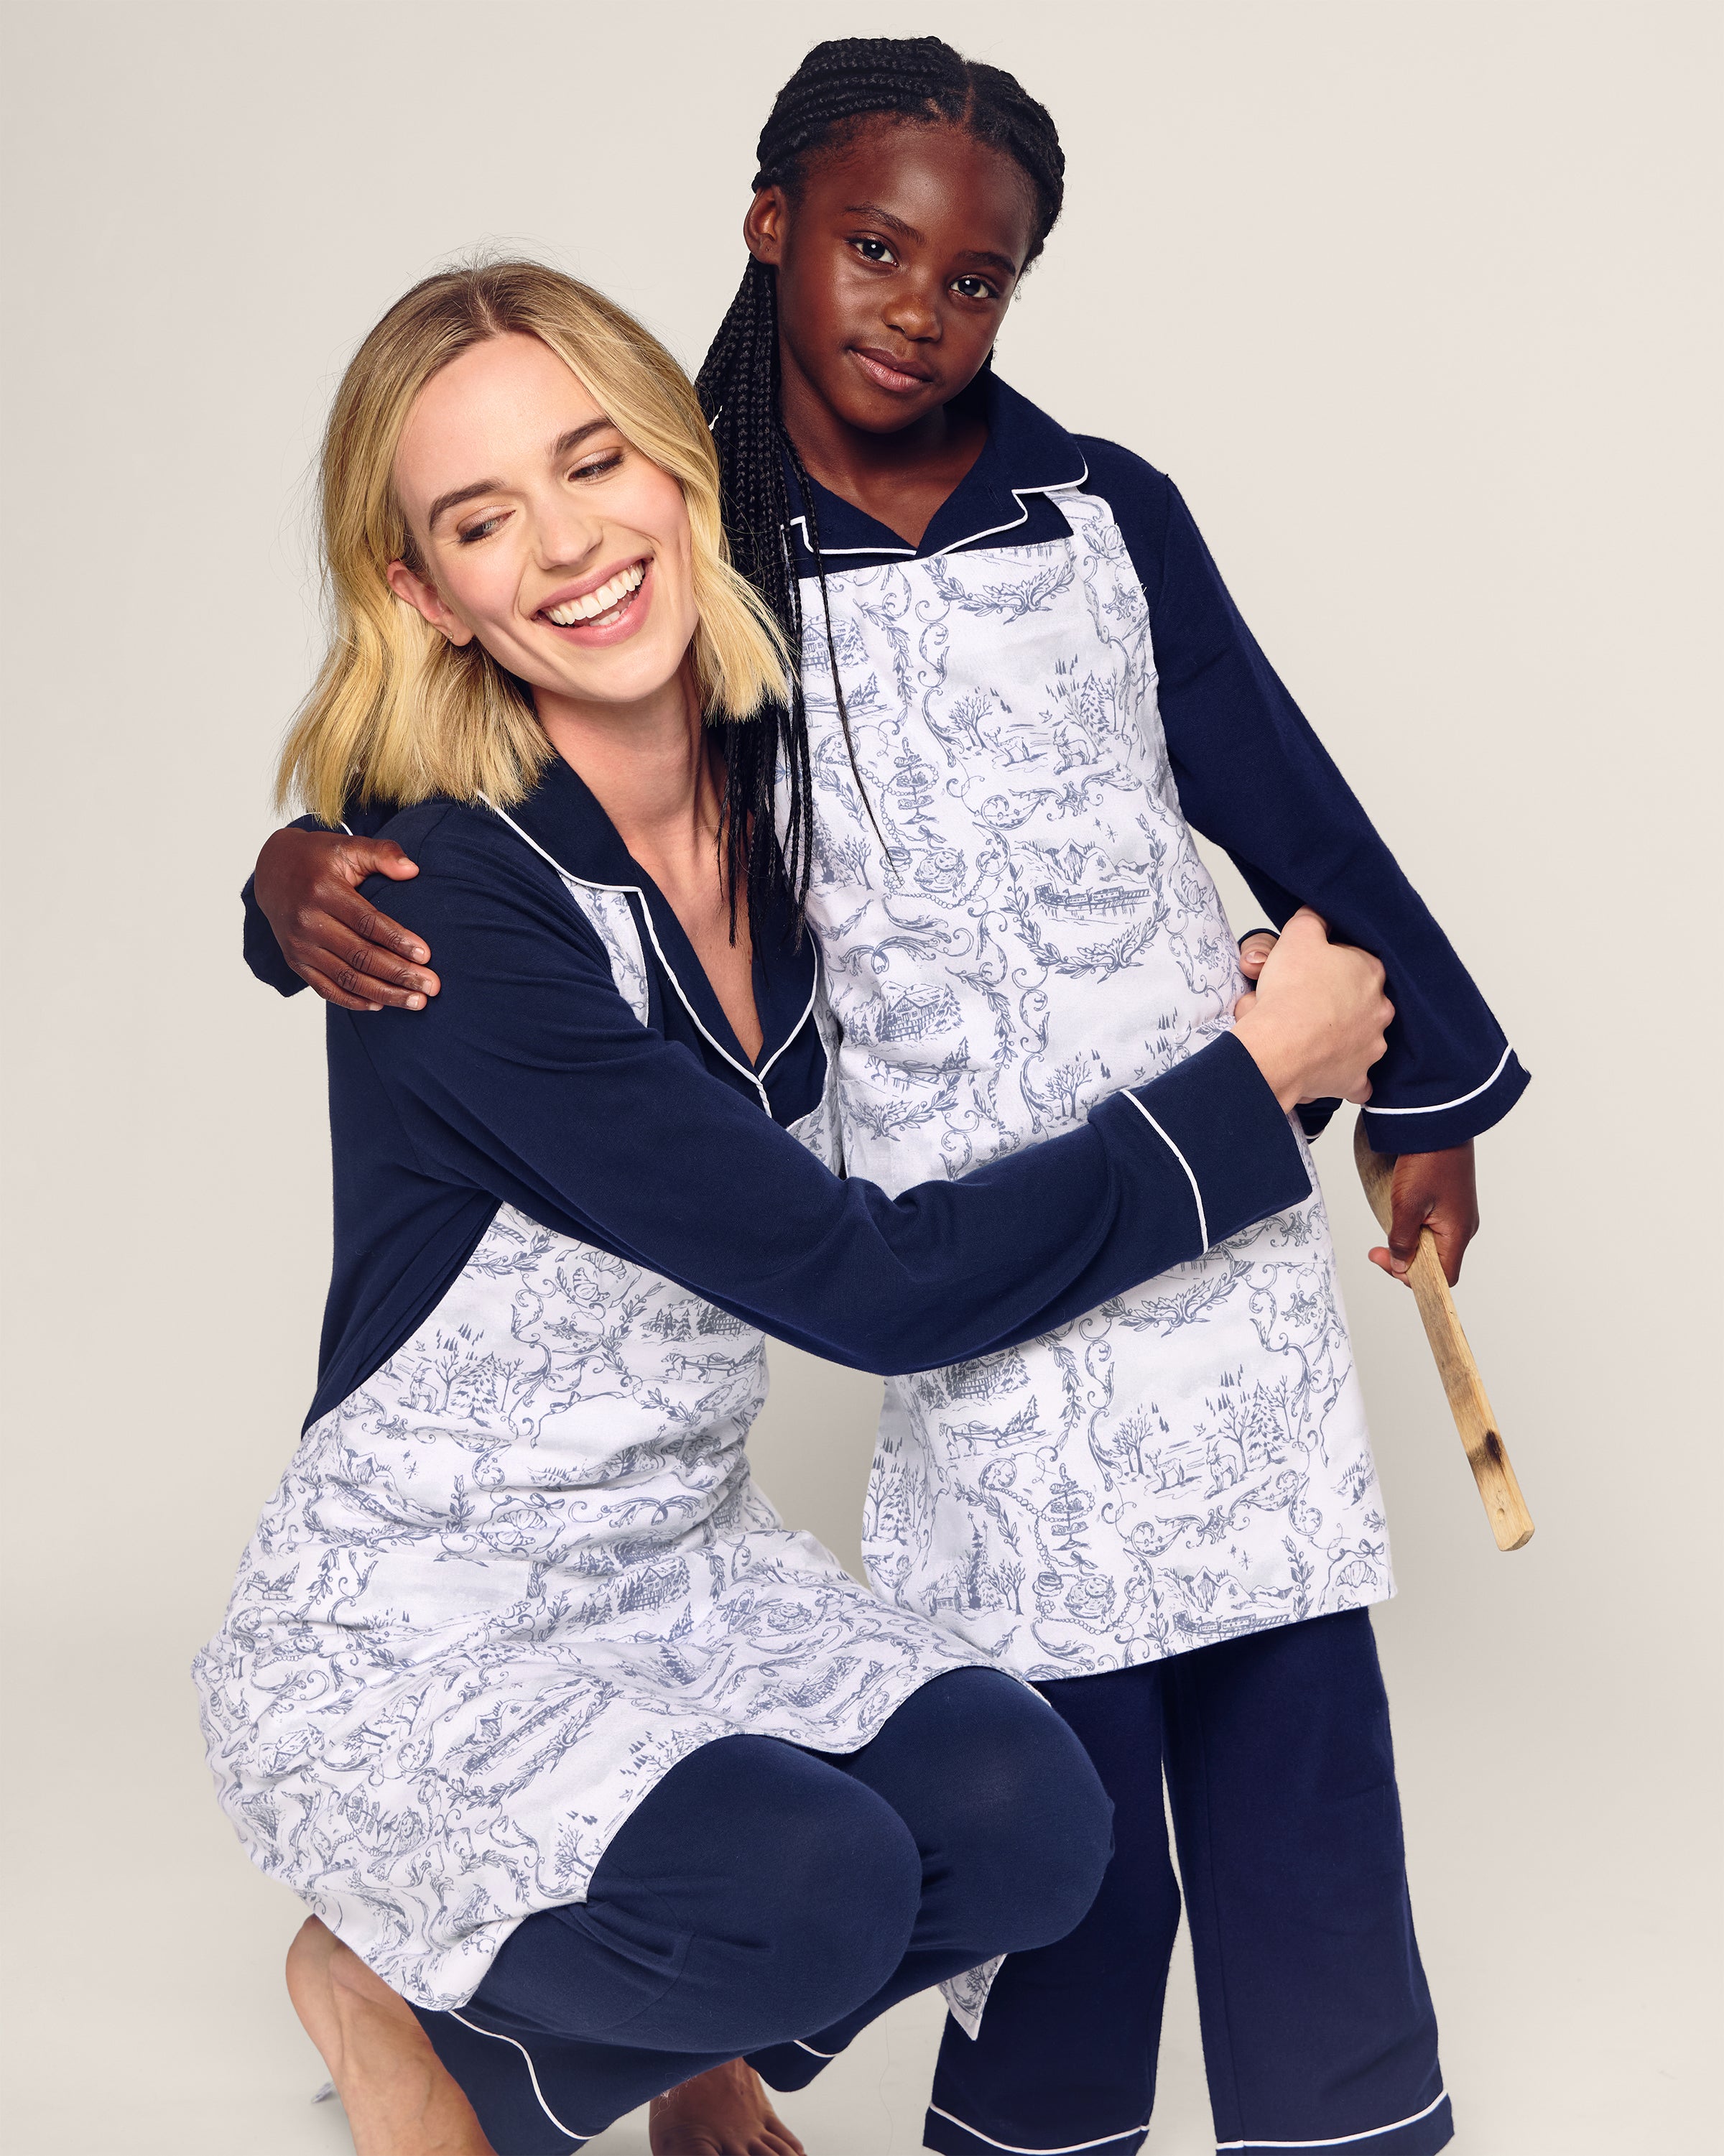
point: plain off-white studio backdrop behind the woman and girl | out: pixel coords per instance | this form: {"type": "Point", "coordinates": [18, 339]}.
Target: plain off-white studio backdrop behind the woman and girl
{"type": "Point", "coordinates": [1415, 301]}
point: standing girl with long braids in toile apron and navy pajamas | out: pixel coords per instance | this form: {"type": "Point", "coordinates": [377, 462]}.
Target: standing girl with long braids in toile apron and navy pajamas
{"type": "Point", "coordinates": [1023, 689]}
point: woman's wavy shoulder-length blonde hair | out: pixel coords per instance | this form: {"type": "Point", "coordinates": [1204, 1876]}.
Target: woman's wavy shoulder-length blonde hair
{"type": "Point", "coordinates": [398, 710]}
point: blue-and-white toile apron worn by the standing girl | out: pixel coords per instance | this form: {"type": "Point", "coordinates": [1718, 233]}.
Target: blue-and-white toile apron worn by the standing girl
{"type": "Point", "coordinates": [1014, 922]}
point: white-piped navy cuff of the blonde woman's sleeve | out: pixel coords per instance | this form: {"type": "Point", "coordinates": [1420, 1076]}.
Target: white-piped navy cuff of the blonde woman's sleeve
{"type": "Point", "coordinates": [1227, 1131]}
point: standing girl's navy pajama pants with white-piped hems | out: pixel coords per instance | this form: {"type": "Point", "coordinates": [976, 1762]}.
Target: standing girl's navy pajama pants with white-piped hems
{"type": "Point", "coordinates": [1318, 2028]}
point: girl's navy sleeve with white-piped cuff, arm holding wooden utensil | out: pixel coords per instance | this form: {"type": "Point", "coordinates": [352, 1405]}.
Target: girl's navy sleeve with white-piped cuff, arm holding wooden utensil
{"type": "Point", "coordinates": [1255, 779]}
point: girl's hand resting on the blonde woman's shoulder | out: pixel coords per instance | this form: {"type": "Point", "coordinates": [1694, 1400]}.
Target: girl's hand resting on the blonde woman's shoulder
{"type": "Point", "coordinates": [357, 958]}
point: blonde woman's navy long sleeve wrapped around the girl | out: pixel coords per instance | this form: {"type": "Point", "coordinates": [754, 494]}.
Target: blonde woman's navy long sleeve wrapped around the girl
{"type": "Point", "coordinates": [529, 1079]}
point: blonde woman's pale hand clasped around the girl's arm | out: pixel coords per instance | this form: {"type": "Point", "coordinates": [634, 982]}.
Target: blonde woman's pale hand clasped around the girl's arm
{"type": "Point", "coordinates": [1318, 1017]}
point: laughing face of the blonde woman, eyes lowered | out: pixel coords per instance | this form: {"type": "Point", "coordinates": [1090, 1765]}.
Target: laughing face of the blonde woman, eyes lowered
{"type": "Point", "coordinates": [542, 531]}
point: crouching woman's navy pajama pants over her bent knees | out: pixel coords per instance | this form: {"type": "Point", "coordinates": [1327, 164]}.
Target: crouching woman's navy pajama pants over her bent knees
{"type": "Point", "coordinates": [762, 1894]}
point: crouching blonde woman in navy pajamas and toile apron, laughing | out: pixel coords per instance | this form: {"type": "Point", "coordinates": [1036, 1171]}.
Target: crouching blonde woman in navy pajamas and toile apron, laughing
{"type": "Point", "coordinates": [516, 1581]}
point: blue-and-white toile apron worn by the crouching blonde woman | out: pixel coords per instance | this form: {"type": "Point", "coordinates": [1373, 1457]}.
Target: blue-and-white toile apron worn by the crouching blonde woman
{"type": "Point", "coordinates": [510, 1584]}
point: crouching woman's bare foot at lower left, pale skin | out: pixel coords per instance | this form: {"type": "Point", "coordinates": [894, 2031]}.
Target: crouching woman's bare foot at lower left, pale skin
{"type": "Point", "coordinates": [395, 2090]}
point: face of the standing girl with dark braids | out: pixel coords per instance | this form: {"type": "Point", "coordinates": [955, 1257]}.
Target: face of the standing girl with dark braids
{"type": "Point", "coordinates": [895, 266]}
